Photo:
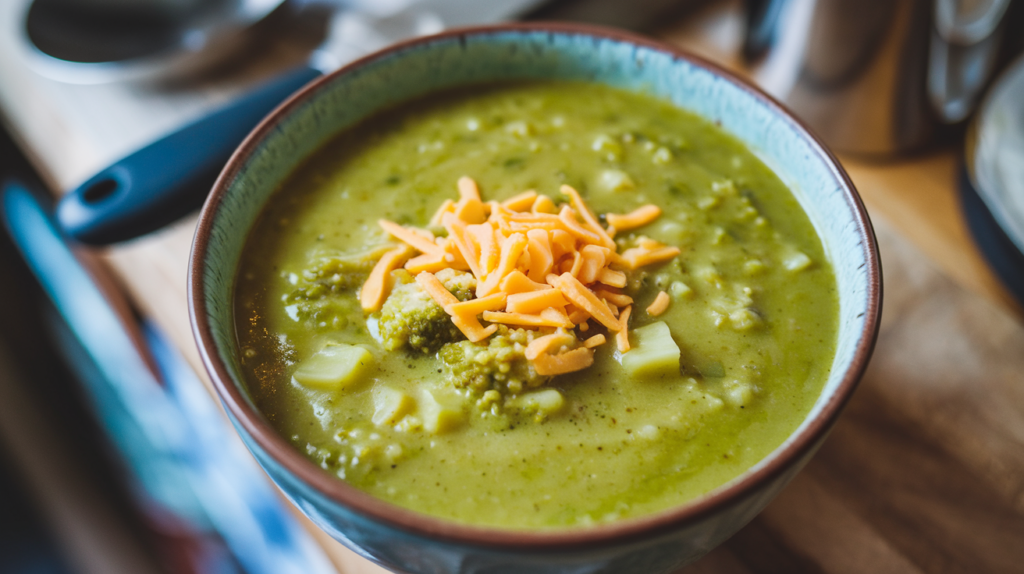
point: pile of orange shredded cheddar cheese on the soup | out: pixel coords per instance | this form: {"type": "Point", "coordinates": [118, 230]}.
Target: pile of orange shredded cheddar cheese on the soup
{"type": "Point", "coordinates": [538, 266]}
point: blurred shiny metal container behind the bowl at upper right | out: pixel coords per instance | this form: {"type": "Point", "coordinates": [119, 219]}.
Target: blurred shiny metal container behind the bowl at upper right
{"type": "Point", "coordinates": [876, 76]}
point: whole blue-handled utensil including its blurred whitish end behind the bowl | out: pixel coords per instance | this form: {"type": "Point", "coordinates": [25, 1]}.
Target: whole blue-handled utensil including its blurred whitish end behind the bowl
{"type": "Point", "coordinates": [170, 178]}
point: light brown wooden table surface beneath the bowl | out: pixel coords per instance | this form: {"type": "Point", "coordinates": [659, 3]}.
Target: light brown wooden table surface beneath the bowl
{"type": "Point", "coordinates": [925, 471]}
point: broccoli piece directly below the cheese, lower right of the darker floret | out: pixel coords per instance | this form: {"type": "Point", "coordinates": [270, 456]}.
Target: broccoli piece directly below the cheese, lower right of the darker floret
{"type": "Point", "coordinates": [500, 365]}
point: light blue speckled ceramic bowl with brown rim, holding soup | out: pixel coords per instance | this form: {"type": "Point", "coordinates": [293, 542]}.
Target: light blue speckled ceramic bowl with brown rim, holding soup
{"type": "Point", "coordinates": [409, 542]}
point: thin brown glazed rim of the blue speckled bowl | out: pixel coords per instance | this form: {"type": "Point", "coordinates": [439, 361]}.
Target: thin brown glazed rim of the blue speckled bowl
{"type": "Point", "coordinates": [566, 540]}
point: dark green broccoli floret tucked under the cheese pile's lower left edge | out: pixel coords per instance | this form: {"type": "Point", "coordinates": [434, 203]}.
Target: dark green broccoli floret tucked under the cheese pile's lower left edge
{"type": "Point", "coordinates": [410, 317]}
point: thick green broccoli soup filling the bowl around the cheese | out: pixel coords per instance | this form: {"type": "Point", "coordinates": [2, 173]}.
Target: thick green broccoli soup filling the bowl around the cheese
{"type": "Point", "coordinates": [753, 313]}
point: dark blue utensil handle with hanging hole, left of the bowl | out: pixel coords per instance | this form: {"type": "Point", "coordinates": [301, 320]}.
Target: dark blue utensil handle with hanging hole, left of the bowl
{"type": "Point", "coordinates": [170, 178]}
